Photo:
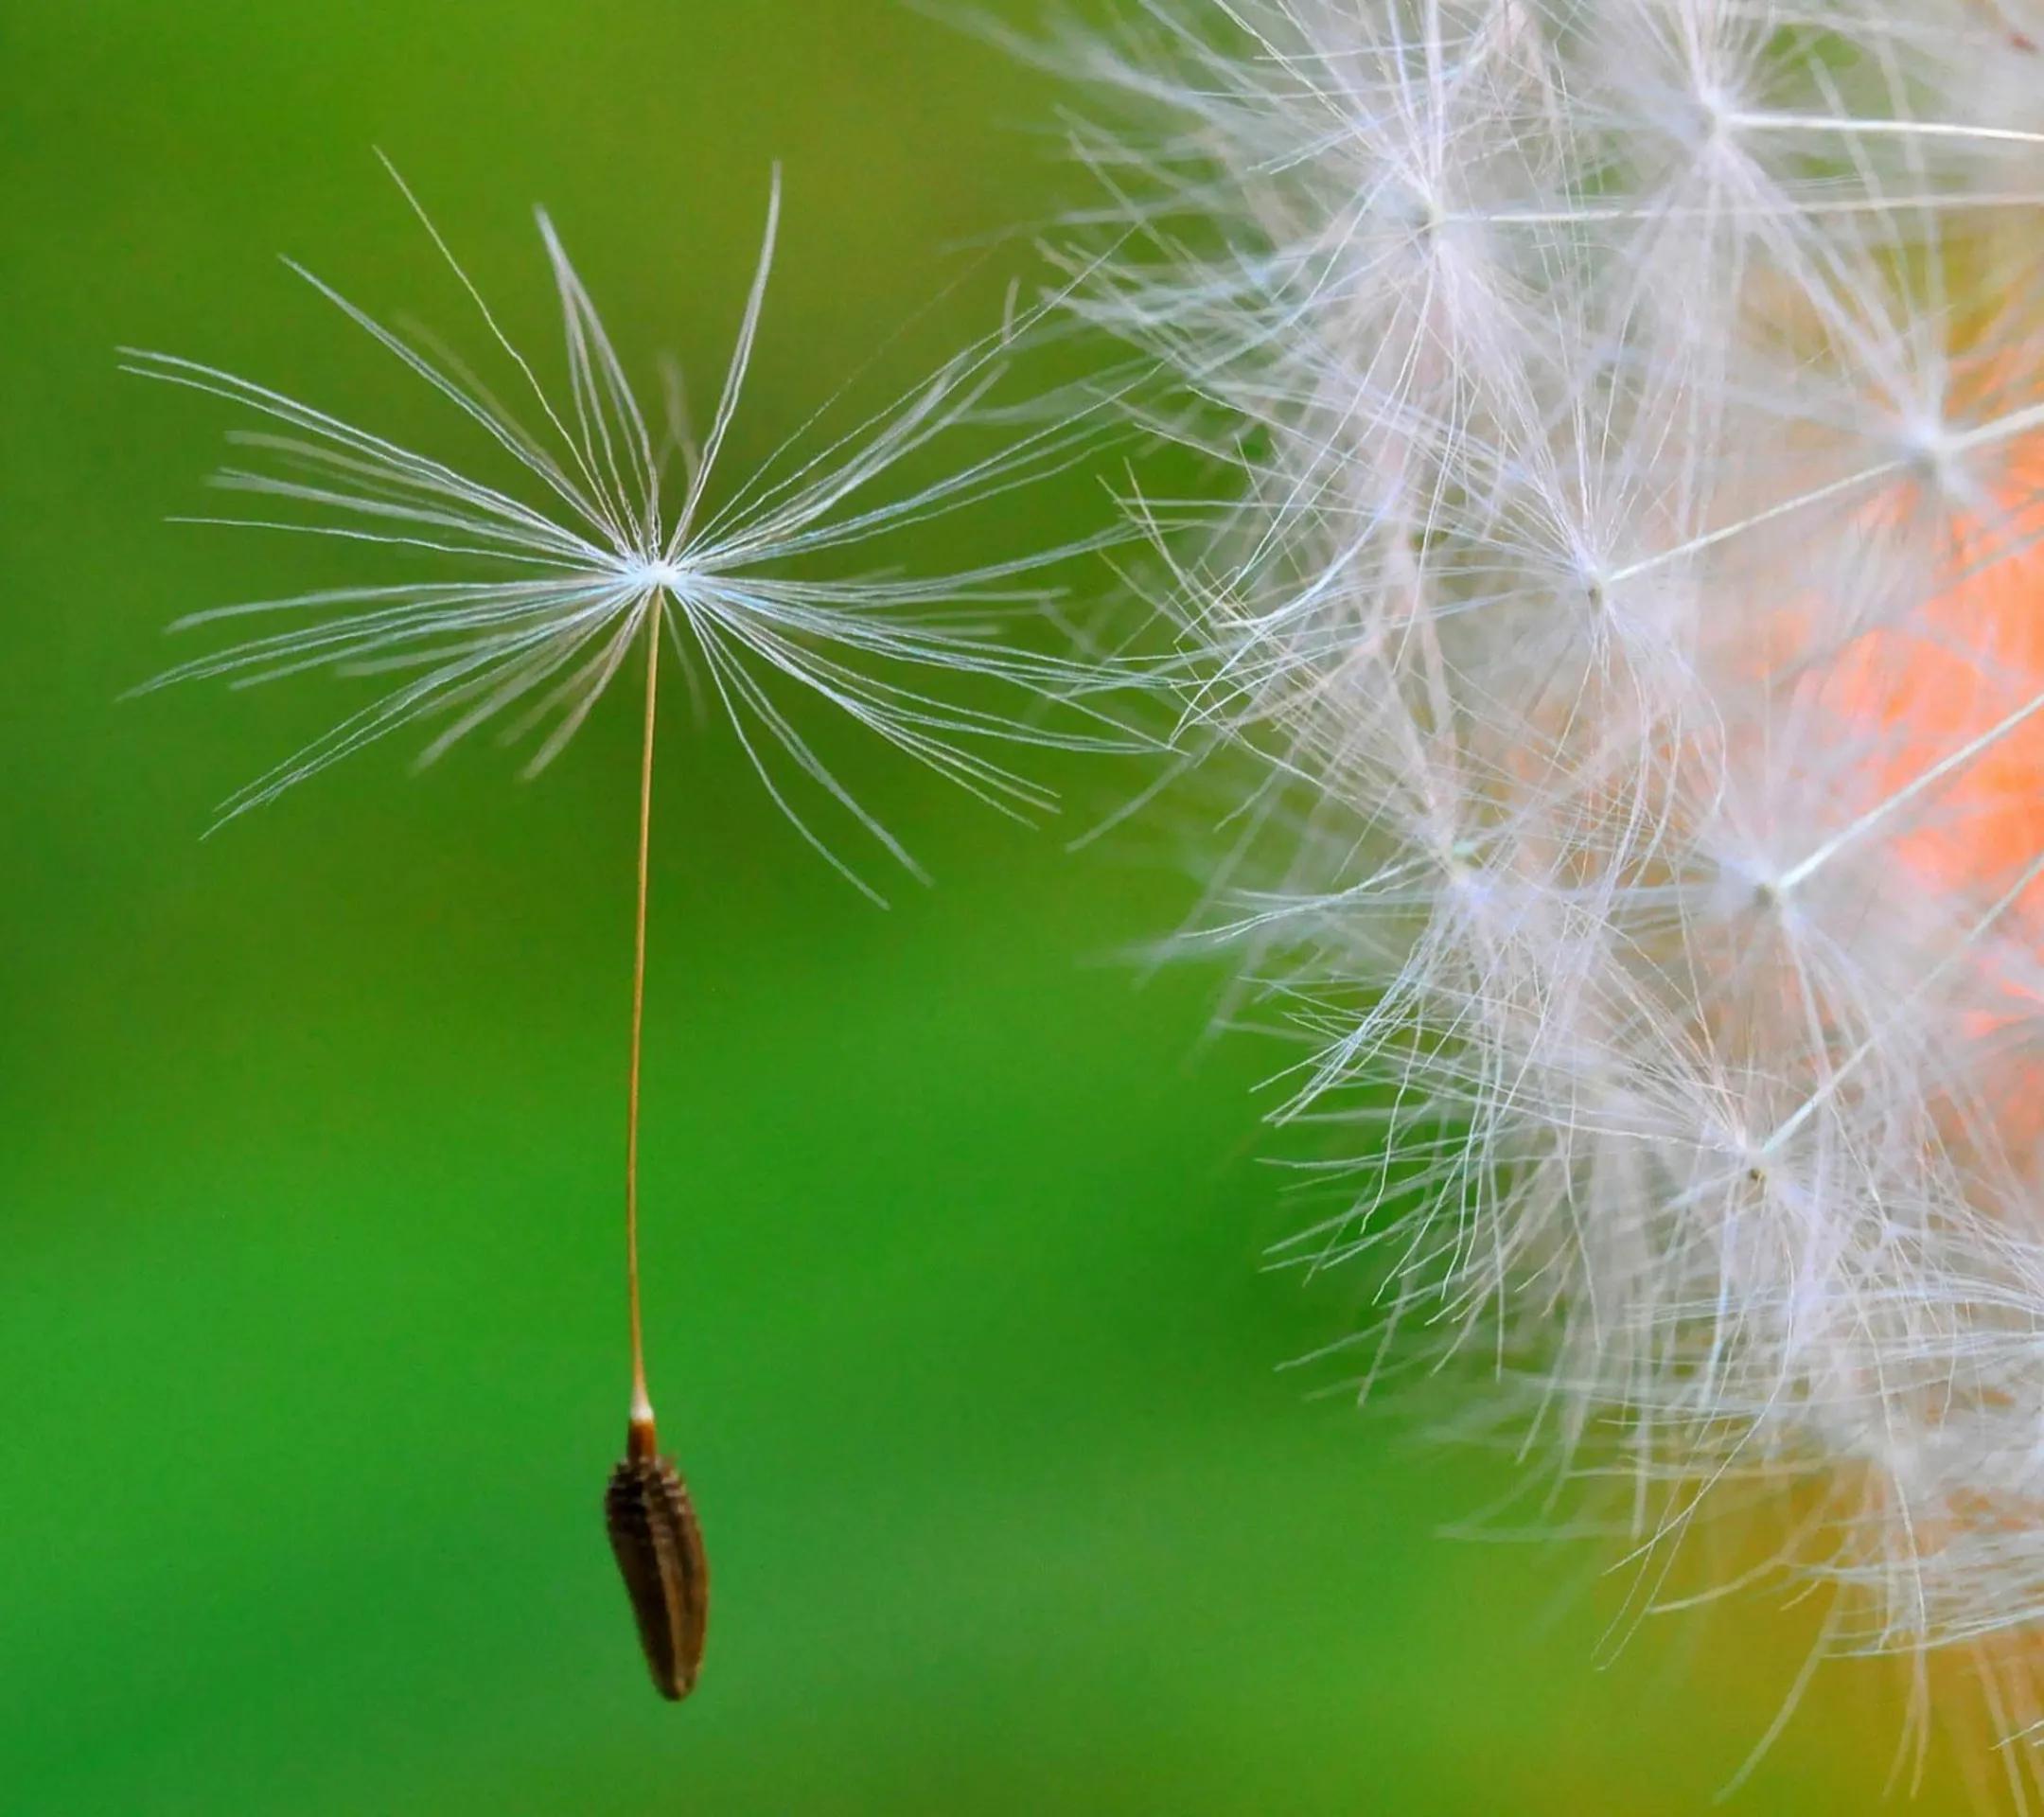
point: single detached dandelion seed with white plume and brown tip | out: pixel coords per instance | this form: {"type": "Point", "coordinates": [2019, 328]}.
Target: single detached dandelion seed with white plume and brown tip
{"type": "Point", "coordinates": [567, 590]}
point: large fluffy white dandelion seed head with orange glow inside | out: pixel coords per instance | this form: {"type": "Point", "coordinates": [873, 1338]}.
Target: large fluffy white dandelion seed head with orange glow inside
{"type": "Point", "coordinates": [1636, 424]}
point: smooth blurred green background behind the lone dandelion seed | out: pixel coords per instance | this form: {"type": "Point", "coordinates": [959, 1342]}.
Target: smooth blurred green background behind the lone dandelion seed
{"type": "Point", "coordinates": [310, 1305]}
